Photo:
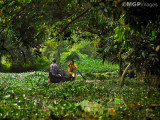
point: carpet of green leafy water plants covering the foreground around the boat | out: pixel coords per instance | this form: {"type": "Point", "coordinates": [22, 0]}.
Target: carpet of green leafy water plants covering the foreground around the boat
{"type": "Point", "coordinates": [30, 96]}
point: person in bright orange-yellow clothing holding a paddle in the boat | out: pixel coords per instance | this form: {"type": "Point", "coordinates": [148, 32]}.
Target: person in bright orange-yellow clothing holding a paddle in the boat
{"type": "Point", "coordinates": [72, 68]}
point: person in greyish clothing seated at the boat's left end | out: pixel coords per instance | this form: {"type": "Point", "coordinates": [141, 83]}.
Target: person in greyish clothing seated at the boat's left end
{"type": "Point", "coordinates": [54, 68]}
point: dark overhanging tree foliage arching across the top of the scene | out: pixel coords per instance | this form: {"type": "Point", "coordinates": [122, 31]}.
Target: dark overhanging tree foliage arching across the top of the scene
{"type": "Point", "coordinates": [130, 34]}
